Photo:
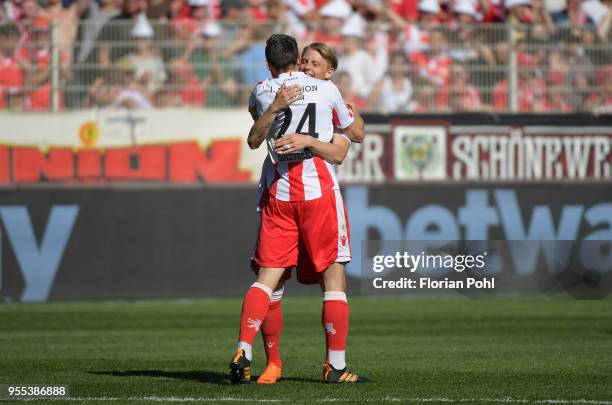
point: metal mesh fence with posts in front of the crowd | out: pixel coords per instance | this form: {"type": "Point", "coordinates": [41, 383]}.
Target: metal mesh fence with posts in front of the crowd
{"type": "Point", "coordinates": [484, 67]}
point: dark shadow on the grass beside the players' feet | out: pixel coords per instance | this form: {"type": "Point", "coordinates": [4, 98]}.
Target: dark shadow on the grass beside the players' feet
{"type": "Point", "coordinates": [203, 376]}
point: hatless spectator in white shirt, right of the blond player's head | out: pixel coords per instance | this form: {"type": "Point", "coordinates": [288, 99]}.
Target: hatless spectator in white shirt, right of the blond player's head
{"type": "Point", "coordinates": [394, 91]}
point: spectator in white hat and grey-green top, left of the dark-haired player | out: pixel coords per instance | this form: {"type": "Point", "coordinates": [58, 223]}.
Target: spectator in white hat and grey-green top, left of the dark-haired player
{"type": "Point", "coordinates": [214, 71]}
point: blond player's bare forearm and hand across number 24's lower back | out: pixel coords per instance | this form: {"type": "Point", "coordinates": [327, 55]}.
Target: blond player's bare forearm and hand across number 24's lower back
{"type": "Point", "coordinates": [334, 151]}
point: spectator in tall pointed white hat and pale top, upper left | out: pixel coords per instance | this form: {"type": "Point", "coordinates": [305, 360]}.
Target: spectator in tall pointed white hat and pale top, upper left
{"type": "Point", "coordinates": [148, 66]}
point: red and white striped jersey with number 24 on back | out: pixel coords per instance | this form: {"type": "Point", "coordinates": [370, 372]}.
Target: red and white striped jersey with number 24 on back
{"type": "Point", "coordinates": [300, 176]}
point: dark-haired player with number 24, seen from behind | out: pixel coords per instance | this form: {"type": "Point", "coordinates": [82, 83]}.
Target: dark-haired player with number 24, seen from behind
{"type": "Point", "coordinates": [304, 203]}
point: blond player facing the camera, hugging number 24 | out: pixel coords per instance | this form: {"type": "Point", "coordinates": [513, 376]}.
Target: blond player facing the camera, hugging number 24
{"type": "Point", "coordinates": [318, 60]}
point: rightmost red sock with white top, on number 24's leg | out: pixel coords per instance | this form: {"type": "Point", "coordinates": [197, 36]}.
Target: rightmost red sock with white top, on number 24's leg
{"type": "Point", "coordinates": [335, 321]}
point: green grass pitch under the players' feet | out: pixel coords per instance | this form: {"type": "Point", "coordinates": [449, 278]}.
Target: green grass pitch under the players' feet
{"type": "Point", "coordinates": [413, 350]}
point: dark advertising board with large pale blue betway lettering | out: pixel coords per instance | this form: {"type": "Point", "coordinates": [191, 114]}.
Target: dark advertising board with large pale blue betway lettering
{"type": "Point", "coordinates": [101, 243]}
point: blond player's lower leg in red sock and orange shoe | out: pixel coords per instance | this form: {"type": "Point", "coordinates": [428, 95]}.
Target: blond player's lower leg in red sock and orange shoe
{"type": "Point", "coordinates": [271, 330]}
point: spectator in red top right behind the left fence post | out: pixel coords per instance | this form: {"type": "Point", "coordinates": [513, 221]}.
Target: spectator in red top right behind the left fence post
{"type": "Point", "coordinates": [38, 73]}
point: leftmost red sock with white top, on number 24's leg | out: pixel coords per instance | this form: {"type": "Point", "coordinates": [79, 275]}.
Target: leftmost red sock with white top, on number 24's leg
{"type": "Point", "coordinates": [254, 310]}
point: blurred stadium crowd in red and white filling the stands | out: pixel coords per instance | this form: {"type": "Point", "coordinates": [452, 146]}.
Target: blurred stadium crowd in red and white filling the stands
{"type": "Point", "coordinates": [394, 55]}
